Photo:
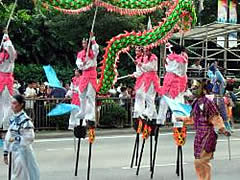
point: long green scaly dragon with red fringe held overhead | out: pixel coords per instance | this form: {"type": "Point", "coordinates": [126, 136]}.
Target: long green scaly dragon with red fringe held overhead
{"type": "Point", "coordinates": [180, 16]}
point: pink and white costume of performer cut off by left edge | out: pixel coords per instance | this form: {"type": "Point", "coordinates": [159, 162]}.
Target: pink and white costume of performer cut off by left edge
{"type": "Point", "coordinates": [7, 59]}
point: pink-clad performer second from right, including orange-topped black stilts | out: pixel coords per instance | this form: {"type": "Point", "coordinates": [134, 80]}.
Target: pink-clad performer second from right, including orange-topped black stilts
{"type": "Point", "coordinates": [146, 85]}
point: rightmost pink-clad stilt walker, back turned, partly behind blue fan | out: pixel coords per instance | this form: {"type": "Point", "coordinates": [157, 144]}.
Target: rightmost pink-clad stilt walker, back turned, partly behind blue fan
{"type": "Point", "coordinates": [174, 86]}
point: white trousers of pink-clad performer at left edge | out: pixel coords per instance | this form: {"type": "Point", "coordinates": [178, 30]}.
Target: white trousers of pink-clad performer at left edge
{"type": "Point", "coordinates": [5, 108]}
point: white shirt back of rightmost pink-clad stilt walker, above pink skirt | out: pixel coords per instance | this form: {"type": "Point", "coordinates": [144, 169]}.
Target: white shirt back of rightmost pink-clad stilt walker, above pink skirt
{"type": "Point", "coordinates": [175, 67]}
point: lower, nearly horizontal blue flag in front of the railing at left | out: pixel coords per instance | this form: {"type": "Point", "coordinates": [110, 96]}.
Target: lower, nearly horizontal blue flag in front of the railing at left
{"type": "Point", "coordinates": [62, 108]}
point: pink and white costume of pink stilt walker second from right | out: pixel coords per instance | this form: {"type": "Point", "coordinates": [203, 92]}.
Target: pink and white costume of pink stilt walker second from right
{"type": "Point", "coordinates": [146, 85]}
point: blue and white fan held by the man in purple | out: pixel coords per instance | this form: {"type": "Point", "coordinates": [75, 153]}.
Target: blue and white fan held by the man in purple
{"type": "Point", "coordinates": [179, 109]}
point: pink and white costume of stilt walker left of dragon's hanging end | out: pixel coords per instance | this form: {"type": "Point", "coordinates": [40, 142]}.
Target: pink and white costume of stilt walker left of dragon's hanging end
{"type": "Point", "coordinates": [88, 82]}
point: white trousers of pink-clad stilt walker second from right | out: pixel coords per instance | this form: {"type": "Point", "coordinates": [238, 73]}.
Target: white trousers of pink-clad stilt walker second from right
{"type": "Point", "coordinates": [145, 103]}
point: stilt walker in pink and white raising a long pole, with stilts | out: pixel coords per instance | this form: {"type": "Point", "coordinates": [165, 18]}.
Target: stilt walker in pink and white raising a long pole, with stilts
{"type": "Point", "coordinates": [87, 63]}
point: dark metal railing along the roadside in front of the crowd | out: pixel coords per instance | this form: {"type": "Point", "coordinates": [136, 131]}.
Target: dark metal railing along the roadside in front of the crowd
{"type": "Point", "coordinates": [110, 112]}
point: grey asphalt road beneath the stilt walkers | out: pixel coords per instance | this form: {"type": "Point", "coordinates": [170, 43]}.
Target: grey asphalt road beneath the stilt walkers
{"type": "Point", "coordinates": [111, 159]}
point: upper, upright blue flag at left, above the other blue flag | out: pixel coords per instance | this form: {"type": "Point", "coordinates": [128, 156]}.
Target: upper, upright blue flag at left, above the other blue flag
{"type": "Point", "coordinates": [52, 77]}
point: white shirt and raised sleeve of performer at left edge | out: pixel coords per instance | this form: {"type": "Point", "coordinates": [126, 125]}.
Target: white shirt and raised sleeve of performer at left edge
{"type": "Point", "coordinates": [8, 65]}
